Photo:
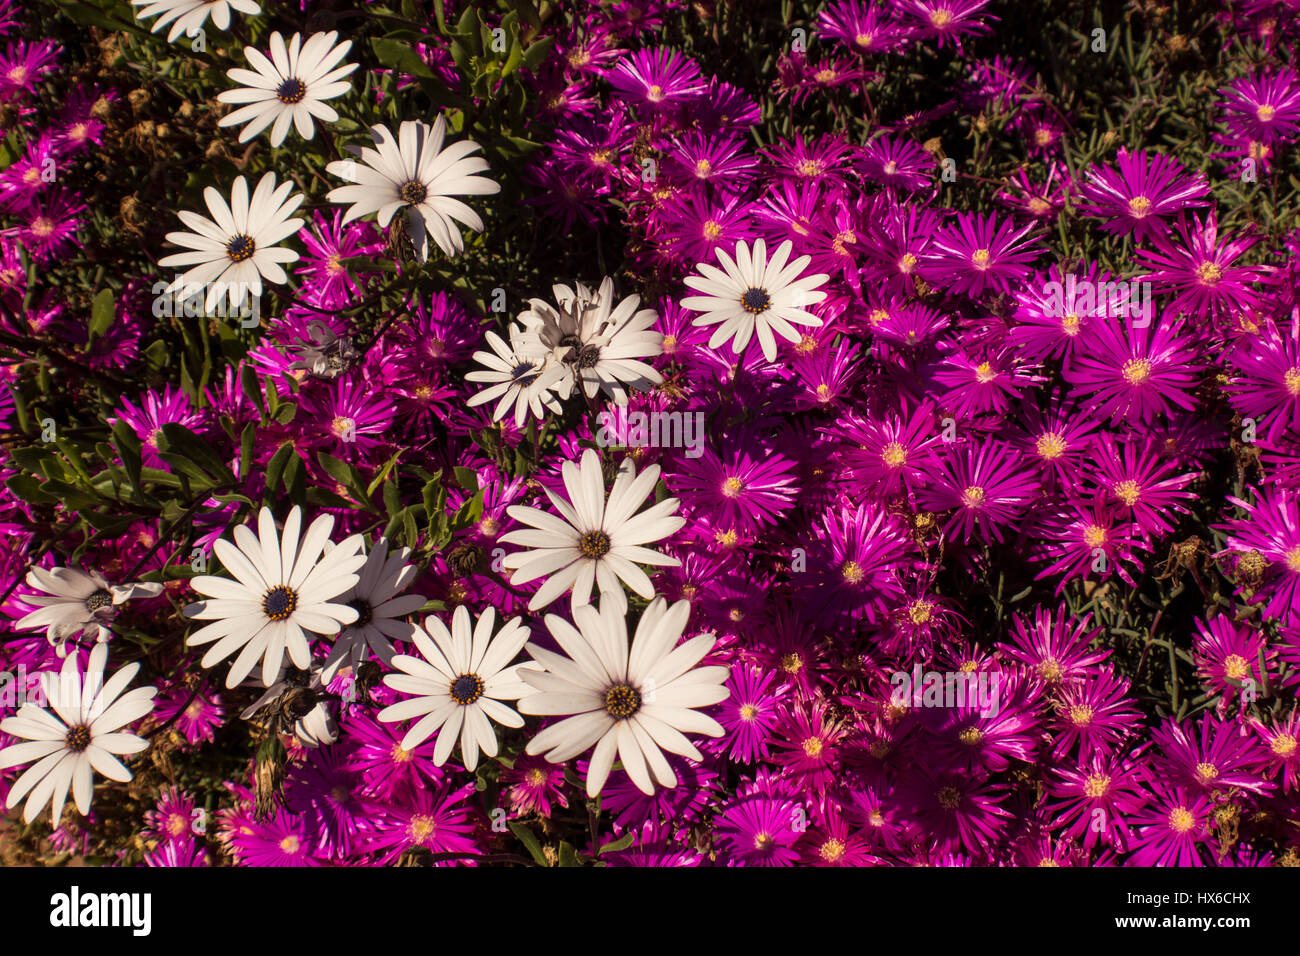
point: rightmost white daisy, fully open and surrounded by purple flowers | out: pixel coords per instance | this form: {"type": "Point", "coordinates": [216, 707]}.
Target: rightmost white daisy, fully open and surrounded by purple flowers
{"type": "Point", "coordinates": [755, 296]}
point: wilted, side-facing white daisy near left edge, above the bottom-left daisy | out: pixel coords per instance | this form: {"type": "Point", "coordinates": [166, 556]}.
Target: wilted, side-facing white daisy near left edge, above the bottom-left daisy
{"type": "Point", "coordinates": [79, 603]}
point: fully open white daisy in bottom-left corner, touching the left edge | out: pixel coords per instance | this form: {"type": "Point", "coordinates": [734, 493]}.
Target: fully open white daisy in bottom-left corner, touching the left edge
{"type": "Point", "coordinates": [83, 736]}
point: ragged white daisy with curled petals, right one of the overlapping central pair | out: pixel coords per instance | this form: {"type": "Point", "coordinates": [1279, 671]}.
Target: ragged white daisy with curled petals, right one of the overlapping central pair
{"type": "Point", "coordinates": [596, 341]}
